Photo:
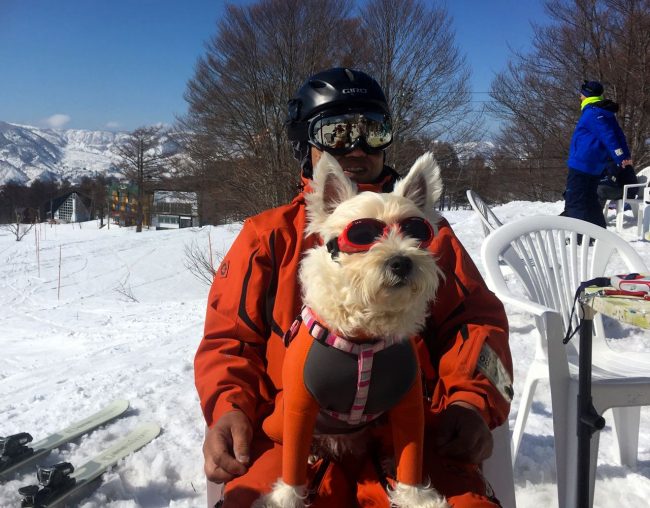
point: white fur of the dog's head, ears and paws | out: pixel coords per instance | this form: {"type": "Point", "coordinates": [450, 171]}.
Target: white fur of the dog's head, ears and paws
{"type": "Point", "coordinates": [357, 295]}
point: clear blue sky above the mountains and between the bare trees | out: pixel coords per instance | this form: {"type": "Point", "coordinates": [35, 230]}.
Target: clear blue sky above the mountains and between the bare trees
{"type": "Point", "coordinates": [121, 64]}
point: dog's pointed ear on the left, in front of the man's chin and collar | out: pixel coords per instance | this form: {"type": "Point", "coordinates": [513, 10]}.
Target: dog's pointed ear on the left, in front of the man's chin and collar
{"type": "Point", "coordinates": [330, 185]}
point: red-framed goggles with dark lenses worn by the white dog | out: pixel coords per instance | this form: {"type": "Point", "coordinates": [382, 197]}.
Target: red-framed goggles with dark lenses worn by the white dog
{"type": "Point", "coordinates": [361, 234]}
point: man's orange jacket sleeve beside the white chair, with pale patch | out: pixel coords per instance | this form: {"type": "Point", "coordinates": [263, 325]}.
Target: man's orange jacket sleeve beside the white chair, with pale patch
{"type": "Point", "coordinates": [467, 337]}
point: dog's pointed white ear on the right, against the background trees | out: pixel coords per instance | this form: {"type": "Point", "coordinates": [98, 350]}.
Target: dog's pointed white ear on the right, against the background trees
{"type": "Point", "coordinates": [422, 184]}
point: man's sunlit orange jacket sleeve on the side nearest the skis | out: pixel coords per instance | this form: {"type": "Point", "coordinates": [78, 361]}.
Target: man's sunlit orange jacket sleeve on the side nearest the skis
{"type": "Point", "coordinates": [229, 366]}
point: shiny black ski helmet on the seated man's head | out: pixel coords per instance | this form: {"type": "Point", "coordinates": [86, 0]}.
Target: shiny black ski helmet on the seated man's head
{"type": "Point", "coordinates": [336, 90]}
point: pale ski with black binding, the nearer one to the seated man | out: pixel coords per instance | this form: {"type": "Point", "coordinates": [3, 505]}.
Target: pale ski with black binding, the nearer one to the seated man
{"type": "Point", "coordinates": [62, 484]}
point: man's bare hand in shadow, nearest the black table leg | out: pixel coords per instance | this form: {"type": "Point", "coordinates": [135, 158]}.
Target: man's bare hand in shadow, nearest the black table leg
{"type": "Point", "coordinates": [463, 434]}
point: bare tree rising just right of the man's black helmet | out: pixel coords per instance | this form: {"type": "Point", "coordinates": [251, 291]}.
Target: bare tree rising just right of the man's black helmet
{"type": "Point", "coordinates": [411, 52]}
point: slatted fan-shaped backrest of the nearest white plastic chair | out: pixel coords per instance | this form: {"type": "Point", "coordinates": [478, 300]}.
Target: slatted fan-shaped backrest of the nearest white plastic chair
{"type": "Point", "coordinates": [552, 264]}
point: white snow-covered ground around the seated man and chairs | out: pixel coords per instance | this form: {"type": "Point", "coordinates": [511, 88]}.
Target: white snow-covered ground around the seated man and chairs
{"type": "Point", "coordinates": [124, 322]}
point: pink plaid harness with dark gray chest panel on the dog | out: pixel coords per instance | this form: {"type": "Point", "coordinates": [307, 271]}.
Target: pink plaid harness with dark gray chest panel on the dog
{"type": "Point", "coordinates": [354, 383]}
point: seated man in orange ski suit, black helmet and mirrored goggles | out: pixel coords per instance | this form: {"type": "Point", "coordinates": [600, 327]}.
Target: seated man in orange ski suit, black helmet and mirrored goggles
{"type": "Point", "coordinates": [255, 297]}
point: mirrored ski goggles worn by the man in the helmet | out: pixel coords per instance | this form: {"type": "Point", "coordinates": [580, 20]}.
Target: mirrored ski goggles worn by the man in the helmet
{"type": "Point", "coordinates": [342, 133]}
